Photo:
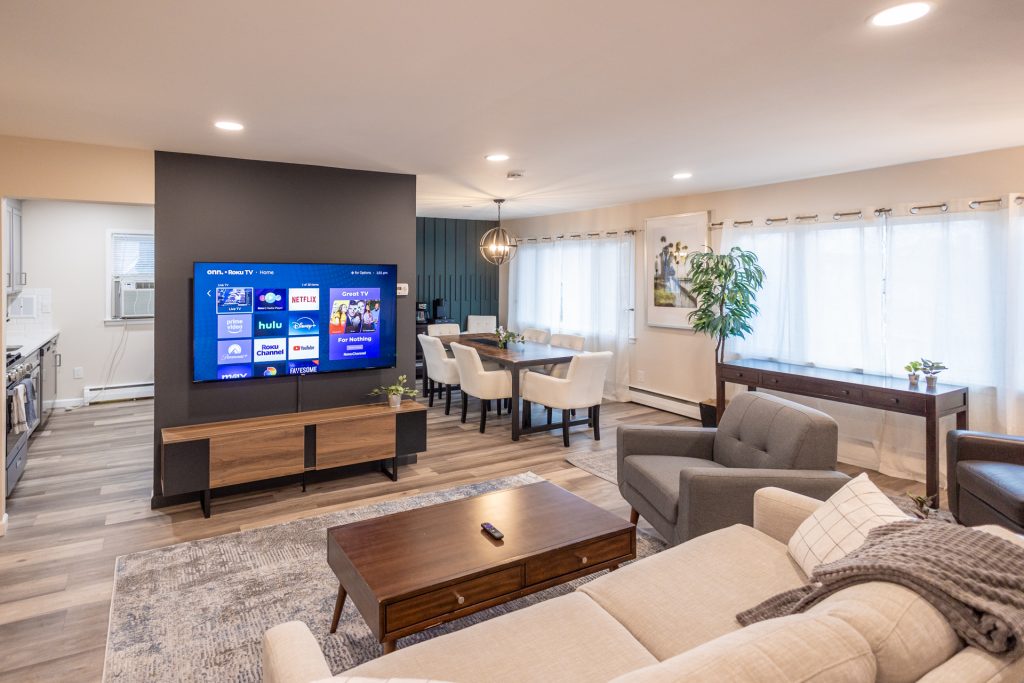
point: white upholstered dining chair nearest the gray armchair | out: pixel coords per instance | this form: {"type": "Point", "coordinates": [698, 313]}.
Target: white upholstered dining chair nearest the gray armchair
{"type": "Point", "coordinates": [582, 388]}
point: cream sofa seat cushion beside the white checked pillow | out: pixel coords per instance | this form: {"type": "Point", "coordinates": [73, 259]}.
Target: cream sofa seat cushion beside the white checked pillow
{"type": "Point", "coordinates": [688, 595]}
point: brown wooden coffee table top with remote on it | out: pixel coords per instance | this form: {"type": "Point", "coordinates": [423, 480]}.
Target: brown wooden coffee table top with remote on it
{"type": "Point", "coordinates": [402, 553]}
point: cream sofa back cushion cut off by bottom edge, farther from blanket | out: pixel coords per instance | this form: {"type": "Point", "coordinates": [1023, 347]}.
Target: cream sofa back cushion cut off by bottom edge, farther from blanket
{"type": "Point", "coordinates": [809, 649]}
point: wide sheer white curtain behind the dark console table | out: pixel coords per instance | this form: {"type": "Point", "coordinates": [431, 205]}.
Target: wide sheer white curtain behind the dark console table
{"type": "Point", "coordinates": [874, 294]}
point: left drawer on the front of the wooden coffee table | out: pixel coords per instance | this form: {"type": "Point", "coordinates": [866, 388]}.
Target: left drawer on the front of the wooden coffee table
{"type": "Point", "coordinates": [438, 604]}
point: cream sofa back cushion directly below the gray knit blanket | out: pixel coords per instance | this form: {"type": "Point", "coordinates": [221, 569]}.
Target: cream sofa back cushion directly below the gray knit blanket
{"type": "Point", "coordinates": [908, 635]}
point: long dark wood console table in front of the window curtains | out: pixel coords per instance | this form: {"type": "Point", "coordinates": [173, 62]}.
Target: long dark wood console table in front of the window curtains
{"type": "Point", "coordinates": [886, 394]}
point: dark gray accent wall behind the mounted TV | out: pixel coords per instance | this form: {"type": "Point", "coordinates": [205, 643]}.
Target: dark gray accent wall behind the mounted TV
{"type": "Point", "coordinates": [218, 209]}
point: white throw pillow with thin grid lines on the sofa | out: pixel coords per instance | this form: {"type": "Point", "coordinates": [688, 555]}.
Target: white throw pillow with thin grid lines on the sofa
{"type": "Point", "coordinates": [841, 524]}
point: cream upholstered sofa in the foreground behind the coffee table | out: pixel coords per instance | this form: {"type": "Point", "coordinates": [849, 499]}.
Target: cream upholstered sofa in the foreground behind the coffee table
{"type": "Point", "coordinates": [672, 618]}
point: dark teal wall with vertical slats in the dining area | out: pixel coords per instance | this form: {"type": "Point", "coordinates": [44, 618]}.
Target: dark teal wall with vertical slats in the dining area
{"type": "Point", "coordinates": [449, 267]}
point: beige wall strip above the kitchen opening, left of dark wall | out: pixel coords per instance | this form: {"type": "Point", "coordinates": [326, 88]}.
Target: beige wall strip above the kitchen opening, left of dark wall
{"type": "Point", "coordinates": [49, 169]}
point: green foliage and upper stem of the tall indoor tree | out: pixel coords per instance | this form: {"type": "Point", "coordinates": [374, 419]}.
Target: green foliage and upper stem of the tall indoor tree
{"type": "Point", "coordinates": [726, 287]}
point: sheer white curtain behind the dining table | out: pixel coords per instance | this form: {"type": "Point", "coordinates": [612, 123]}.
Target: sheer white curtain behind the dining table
{"type": "Point", "coordinates": [581, 287]}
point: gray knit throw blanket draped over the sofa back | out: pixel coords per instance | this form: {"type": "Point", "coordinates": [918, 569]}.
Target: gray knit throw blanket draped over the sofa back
{"type": "Point", "coordinates": [974, 579]}
